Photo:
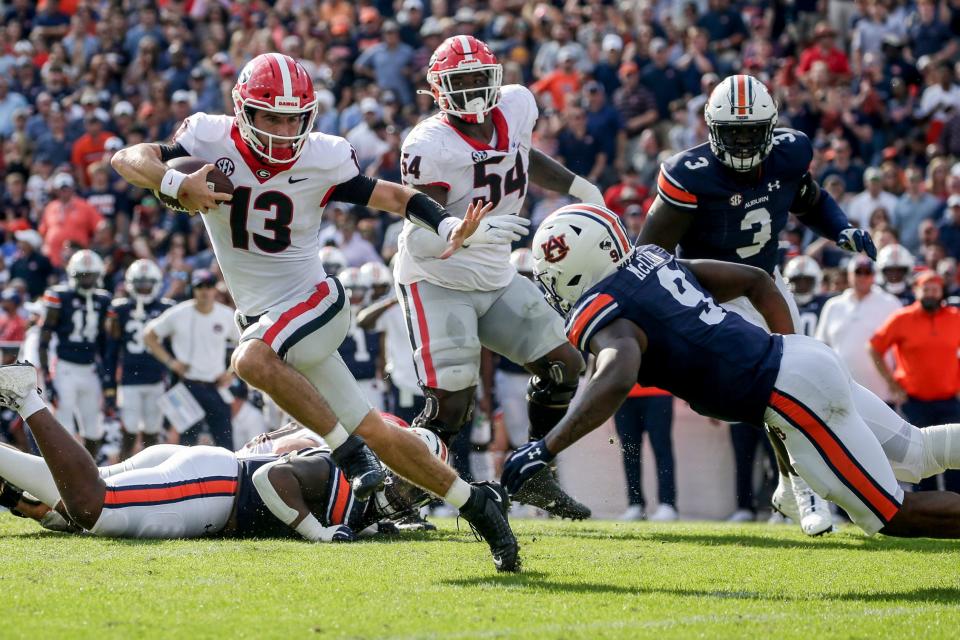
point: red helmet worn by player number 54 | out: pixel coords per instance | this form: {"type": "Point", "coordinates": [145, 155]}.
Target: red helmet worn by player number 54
{"type": "Point", "coordinates": [459, 56]}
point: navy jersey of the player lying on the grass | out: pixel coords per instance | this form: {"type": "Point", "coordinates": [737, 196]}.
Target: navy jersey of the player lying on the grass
{"type": "Point", "coordinates": [337, 505]}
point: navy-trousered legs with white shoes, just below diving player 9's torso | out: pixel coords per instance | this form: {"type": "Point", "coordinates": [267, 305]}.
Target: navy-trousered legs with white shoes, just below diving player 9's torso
{"type": "Point", "coordinates": [650, 410]}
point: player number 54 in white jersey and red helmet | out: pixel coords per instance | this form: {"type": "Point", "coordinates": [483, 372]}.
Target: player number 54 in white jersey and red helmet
{"type": "Point", "coordinates": [478, 149]}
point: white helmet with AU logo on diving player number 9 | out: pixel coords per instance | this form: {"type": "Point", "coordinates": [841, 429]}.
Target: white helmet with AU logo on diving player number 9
{"type": "Point", "coordinates": [576, 247]}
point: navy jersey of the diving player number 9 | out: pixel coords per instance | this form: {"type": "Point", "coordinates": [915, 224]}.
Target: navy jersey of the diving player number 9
{"type": "Point", "coordinates": [721, 364]}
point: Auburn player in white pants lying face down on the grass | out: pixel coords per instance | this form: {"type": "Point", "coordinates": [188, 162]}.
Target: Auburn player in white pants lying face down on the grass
{"type": "Point", "coordinates": [271, 487]}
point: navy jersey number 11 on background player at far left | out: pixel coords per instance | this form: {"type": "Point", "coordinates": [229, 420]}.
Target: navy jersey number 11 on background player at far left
{"type": "Point", "coordinates": [80, 325]}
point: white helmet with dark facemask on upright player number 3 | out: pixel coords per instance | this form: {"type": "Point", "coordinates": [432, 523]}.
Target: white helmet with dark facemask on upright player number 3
{"type": "Point", "coordinates": [741, 115]}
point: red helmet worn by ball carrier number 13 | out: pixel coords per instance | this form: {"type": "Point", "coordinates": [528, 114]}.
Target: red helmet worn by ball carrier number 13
{"type": "Point", "coordinates": [279, 84]}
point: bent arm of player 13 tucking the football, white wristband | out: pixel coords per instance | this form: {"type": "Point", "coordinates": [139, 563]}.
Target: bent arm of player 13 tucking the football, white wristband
{"type": "Point", "coordinates": [142, 165]}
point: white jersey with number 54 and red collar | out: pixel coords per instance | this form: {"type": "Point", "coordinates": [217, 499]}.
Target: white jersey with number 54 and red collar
{"type": "Point", "coordinates": [435, 153]}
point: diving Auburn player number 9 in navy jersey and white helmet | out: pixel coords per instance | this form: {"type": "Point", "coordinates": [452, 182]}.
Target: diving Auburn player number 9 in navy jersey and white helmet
{"type": "Point", "coordinates": [656, 320]}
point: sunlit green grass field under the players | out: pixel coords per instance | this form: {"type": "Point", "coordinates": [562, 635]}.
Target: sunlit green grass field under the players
{"type": "Point", "coordinates": [587, 580]}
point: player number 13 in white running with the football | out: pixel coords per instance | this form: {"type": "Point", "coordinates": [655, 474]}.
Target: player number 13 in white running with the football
{"type": "Point", "coordinates": [292, 315]}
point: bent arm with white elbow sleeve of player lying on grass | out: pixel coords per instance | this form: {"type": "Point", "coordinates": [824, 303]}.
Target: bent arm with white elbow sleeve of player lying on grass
{"type": "Point", "coordinates": [285, 486]}
